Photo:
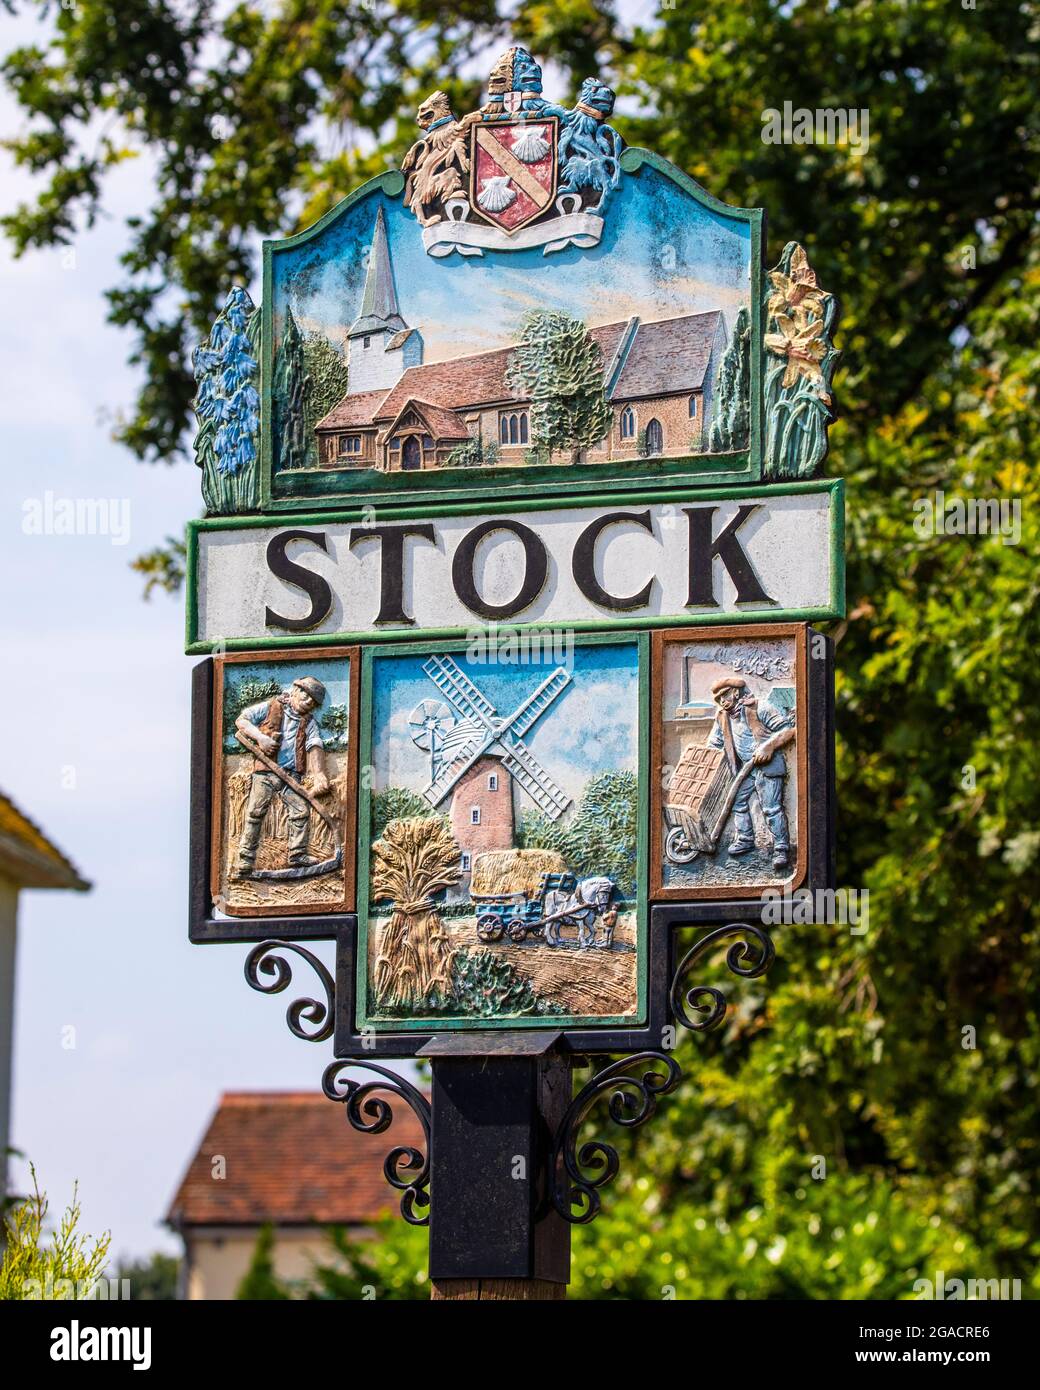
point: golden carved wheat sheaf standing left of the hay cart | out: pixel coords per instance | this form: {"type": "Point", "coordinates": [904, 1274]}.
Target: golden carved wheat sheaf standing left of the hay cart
{"type": "Point", "coordinates": [415, 860]}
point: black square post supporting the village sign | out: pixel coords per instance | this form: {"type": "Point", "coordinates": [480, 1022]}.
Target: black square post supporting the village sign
{"type": "Point", "coordinates": [494, 1234]}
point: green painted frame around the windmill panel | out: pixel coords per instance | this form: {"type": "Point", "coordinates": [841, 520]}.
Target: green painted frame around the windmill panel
{"type": "Point", "coordinates": [441, 1024]}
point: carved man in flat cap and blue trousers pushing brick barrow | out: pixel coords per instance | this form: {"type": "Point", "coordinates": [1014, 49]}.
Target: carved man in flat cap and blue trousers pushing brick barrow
{"type": "Point", "coordinates": [743, 730]}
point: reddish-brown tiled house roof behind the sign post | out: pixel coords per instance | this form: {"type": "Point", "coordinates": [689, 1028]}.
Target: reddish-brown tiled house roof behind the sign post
{"type": "Point", "coordinates": [293, 1160]}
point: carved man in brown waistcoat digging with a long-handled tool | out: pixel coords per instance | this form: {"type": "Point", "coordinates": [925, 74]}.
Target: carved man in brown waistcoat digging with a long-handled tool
{"type": "Point", "coordinates": [284, 728]}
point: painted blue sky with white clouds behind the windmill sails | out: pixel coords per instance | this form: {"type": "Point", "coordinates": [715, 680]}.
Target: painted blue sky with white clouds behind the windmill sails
{"type": "Point", "coordinates": [592, 728]}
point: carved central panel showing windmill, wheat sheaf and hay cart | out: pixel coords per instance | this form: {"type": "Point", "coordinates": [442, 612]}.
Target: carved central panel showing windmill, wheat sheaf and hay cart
{"type": "Point", "coordinates": [501, 853]}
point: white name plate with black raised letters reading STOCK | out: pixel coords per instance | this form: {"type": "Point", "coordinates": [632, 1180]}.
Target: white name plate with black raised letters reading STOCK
{"type": "Point", "coordinates": [639, 561]}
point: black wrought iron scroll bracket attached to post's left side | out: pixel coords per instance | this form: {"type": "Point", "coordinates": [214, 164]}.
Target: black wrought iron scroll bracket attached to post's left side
{"type": "Point", "coordinates": [405, 1168]}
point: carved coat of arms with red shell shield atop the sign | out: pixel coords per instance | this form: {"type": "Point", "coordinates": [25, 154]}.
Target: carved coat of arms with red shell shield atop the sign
{"type": "Point", "coordinates": [519, 173]}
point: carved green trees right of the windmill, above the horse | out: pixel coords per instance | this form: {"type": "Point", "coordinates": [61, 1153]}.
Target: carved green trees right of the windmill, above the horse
{"type": "Point", "coordinates": [601, 836]}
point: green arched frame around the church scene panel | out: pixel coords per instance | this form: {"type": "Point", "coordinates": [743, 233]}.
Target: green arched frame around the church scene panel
{"type": "Point", "coordinates": [312, 489]}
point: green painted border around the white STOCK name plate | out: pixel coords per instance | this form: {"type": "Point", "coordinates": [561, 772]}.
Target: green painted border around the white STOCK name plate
{"type": "Point", "coordinates": [835, 611]}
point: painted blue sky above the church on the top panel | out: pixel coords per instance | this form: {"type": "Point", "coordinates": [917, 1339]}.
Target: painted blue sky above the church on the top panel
{"type": "Point", "coordinates": [663, 255]}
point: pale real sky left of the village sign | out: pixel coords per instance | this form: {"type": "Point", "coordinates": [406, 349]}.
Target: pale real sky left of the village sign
{"type": "Point", "coordinates": [126, 1035]}
